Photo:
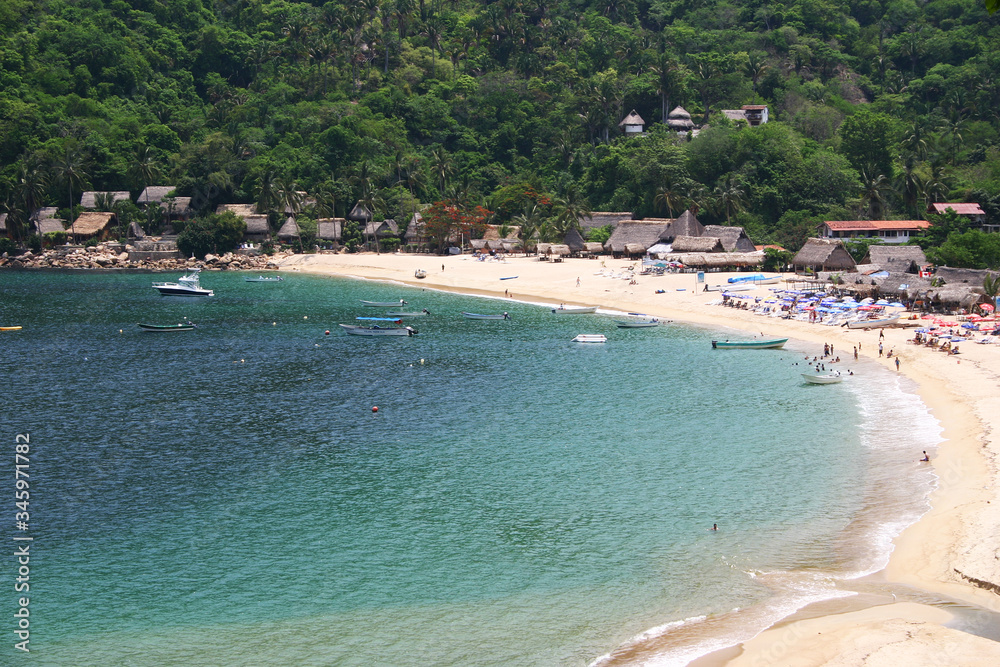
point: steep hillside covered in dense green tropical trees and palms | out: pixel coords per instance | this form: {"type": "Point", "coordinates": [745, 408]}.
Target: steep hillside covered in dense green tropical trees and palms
{"type": "Point", "coordinates": [875, 108]}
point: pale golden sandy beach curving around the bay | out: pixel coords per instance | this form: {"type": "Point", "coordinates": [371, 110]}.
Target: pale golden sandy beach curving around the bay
{"type": "Point", "coordinates": [949, 556]}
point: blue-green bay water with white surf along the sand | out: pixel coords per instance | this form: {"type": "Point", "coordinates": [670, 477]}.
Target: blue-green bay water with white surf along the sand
{"type": "Point", "coordinates": [228, 496]}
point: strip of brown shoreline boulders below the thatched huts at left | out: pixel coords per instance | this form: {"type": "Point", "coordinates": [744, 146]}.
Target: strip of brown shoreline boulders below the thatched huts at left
{"type": "Point", "coordinates": [112, 257]}
